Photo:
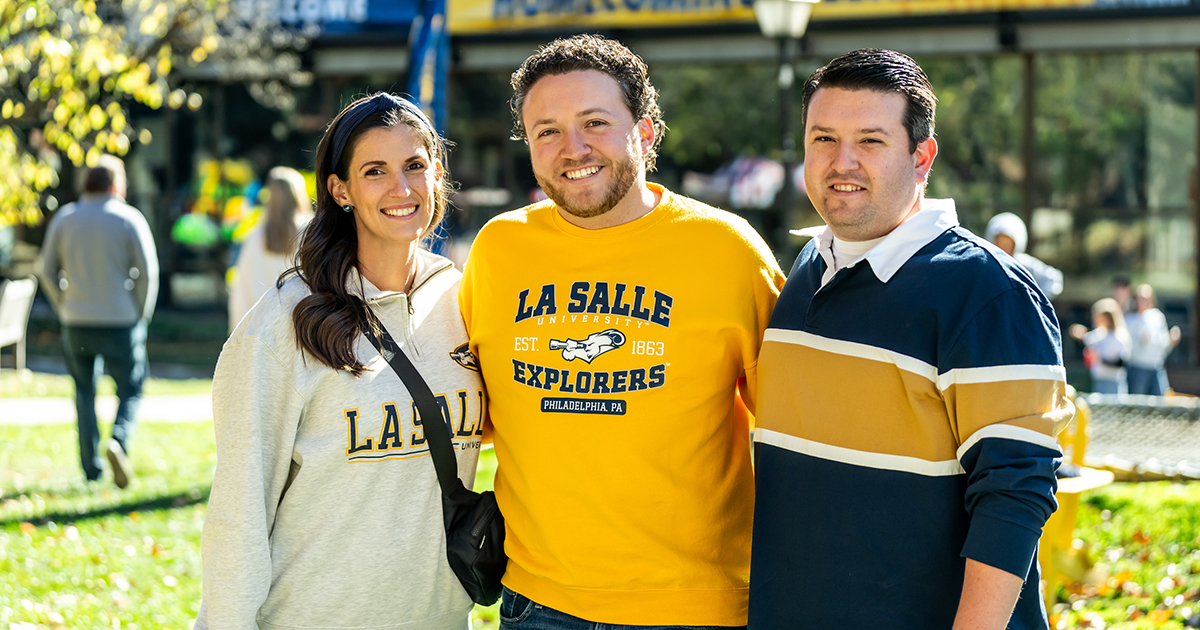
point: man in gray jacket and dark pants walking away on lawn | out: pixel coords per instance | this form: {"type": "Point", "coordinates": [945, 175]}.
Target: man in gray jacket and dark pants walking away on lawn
{"type": "Point", "coordinates": [100, 272]}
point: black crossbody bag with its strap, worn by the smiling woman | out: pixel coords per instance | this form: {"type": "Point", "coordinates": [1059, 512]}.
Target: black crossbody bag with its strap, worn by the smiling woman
{"type": "Point", "coordinates": [473, 521]}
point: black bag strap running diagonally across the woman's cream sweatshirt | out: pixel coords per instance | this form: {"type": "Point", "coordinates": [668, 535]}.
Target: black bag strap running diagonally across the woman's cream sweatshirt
{"type": "Point", "coordinates": [437, 430]}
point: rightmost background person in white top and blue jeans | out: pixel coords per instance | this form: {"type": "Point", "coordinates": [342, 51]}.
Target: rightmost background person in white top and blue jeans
{"type": "Point", "coordinates": [1153, 341]}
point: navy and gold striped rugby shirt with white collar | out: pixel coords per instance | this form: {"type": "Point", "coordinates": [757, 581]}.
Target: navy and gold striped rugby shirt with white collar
{"type": "Point", "coordinates": [908, 413]}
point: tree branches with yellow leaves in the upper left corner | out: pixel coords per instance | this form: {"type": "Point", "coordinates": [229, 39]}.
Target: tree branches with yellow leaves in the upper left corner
{"type": "Point", "coordinates": [70, 69]}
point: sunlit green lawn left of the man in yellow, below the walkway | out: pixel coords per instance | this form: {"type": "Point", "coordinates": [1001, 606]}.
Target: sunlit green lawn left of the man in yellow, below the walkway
{"type": "Point", "coordinates": [81, 556]}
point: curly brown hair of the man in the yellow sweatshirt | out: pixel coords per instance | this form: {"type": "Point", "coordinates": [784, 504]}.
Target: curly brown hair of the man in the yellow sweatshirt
{"type": "Point", "coordinates": [592, 52]}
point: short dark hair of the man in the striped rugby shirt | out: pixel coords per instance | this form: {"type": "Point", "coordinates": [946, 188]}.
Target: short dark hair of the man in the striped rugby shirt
{"type": "Point", "coordinates": [880, 71]}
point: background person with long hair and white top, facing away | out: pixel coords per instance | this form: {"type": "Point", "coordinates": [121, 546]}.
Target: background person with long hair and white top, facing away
{"type": "Point", "coordinates": [269, 248]}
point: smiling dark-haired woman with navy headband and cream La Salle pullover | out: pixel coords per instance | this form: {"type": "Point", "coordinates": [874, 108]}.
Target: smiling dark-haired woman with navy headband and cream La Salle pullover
{"type": "Point", "coordinates": [326, 509]}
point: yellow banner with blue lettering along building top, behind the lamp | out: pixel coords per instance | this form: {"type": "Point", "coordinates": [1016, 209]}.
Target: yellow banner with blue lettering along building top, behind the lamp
{"type": "Point", "coordinates": [475, 17]}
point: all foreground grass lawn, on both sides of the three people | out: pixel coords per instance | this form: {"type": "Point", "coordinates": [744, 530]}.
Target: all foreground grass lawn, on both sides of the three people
{"type": "Point", "coordinates": [83, 556]}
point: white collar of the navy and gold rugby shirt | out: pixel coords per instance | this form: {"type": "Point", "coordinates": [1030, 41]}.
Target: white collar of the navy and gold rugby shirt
{"type": "Point", "coordinates": [898, 247]}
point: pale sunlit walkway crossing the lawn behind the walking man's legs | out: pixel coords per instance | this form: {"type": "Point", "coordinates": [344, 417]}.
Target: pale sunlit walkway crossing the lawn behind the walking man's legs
{"type": "Point", "coordinates": [194, 409]}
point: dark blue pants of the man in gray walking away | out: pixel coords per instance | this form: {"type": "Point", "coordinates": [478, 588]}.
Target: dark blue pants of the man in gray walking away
{"type": "Point", "coordinates": [89, 351]}
